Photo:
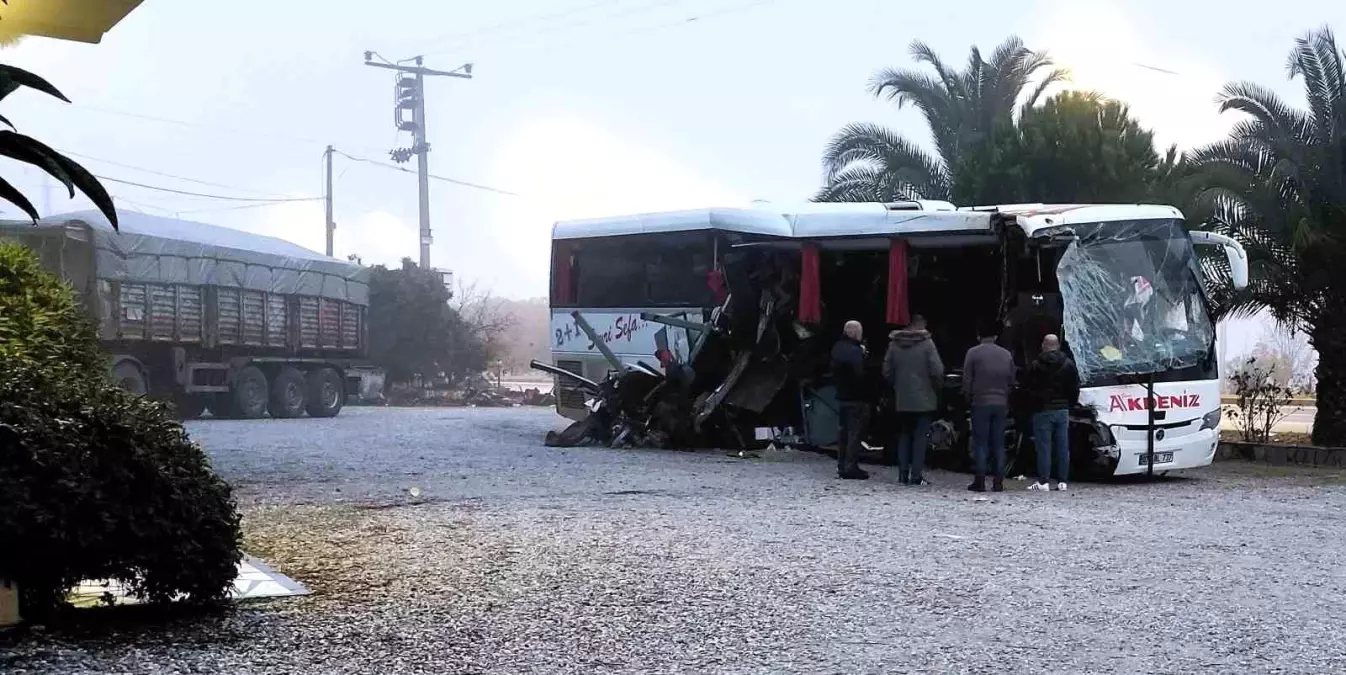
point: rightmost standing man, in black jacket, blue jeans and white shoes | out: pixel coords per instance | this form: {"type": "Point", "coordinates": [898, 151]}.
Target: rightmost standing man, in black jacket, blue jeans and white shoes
{"type": "Point", "coordinates": [1053, 385]}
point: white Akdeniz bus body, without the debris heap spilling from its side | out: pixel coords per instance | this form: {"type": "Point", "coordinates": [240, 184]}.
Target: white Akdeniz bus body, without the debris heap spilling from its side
{"type": "Point", "coordinates": [1122, 284]}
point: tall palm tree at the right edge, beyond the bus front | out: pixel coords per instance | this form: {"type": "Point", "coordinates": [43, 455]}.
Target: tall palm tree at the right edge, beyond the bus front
{"type": "Point", "coordinates": [1278, 184]}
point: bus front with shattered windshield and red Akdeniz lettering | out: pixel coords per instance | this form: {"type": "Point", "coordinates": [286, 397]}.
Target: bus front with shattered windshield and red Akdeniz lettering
{"type": "Point", "coordinates": [1138, 324]}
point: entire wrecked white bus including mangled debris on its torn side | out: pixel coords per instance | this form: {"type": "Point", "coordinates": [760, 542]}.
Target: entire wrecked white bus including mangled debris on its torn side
{"type": "Point", "coordinates": [713, 328]}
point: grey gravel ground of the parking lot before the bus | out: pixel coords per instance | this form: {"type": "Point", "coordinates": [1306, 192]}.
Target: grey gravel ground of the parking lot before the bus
{"type": "Point", "coordinates": [519, 558]}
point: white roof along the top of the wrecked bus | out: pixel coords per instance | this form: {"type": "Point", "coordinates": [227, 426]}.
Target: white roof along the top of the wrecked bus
{"type": "Point", "coordinates": [858, 220]}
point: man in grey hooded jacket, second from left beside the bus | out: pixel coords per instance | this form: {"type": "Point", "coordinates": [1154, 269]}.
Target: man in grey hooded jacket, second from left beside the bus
{"type": "Point", "coordinates": [915, 370]}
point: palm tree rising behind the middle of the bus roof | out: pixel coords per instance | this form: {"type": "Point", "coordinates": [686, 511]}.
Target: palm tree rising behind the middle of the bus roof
{"type": "Point", "coordinates": [966, 111]}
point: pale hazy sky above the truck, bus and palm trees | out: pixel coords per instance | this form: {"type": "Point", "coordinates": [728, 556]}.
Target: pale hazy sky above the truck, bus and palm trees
{"type": "Point", "coordinates": [585, 107]}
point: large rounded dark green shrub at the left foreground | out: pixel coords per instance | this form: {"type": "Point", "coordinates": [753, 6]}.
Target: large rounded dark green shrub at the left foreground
{"type": "Point", "coordinates": [96, 483]}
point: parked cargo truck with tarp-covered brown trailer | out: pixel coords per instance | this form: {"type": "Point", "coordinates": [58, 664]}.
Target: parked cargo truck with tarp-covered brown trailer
{"type": "Point", "coordinates": [211, 319]}
